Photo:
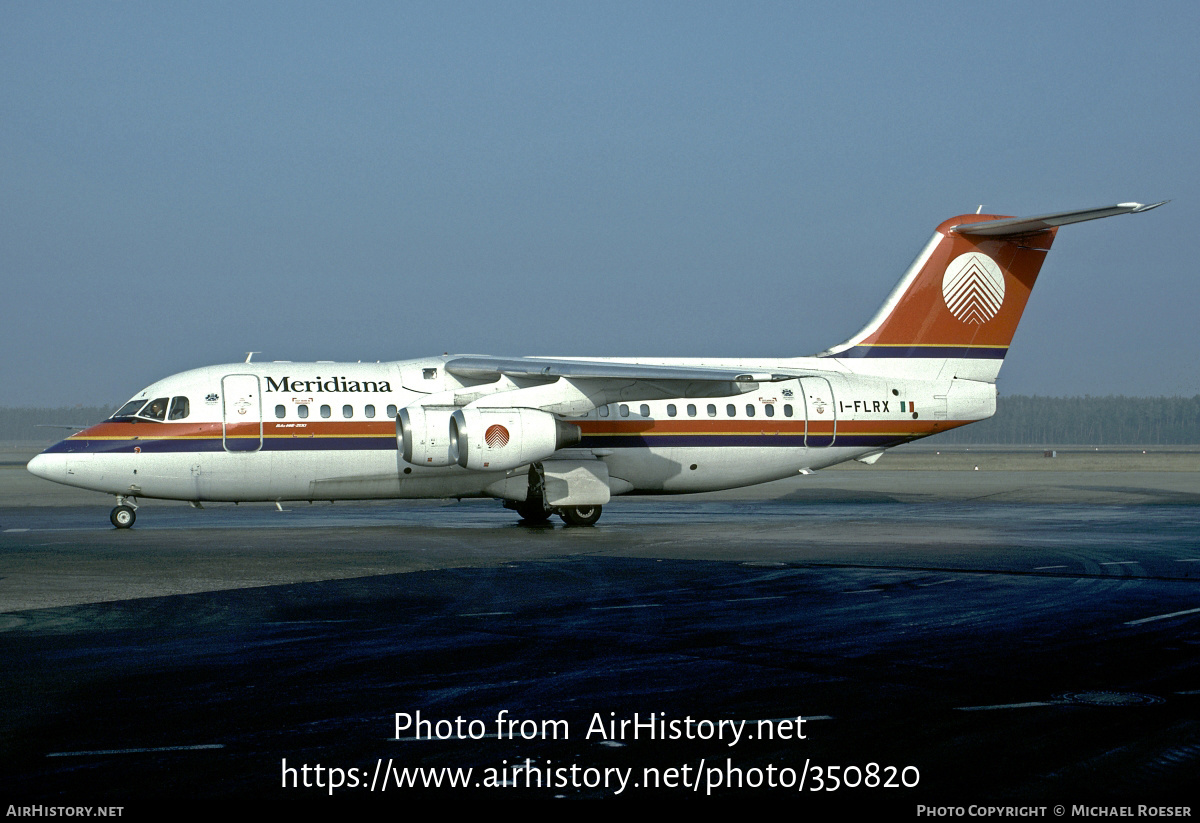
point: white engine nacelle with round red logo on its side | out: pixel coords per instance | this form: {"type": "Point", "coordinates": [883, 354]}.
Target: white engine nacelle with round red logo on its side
{"type": "Point", "coordinates": [489, 440]}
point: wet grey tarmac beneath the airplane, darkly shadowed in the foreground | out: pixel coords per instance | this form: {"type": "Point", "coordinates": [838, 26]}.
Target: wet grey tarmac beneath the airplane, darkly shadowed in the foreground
{"type": "Point", "coordinates": [1013, 635]}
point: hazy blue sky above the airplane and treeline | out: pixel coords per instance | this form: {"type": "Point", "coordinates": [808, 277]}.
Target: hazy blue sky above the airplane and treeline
{"type": "Point", "coordinates": [184, 183]}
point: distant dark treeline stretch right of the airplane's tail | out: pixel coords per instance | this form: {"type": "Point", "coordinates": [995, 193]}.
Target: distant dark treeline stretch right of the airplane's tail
{"type": "Point", "coordinates": [1054, 422]}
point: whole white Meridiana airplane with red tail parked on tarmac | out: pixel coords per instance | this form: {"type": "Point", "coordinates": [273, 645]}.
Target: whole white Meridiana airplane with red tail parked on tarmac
{"type": "Point", "coordinates": [561, 436]}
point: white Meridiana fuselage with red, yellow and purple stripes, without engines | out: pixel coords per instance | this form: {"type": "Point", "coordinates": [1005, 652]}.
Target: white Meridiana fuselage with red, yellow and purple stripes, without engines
{"type": "Point", "coordinates": [292, 431]}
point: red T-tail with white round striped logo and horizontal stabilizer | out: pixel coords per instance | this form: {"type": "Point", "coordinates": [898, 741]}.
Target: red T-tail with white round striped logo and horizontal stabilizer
{"type": "Point", "coordinates": [956, 310]}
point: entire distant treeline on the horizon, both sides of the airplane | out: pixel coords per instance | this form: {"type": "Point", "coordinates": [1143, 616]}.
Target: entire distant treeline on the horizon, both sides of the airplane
{"type": "Point", "coordinates": [1021, 420]}
